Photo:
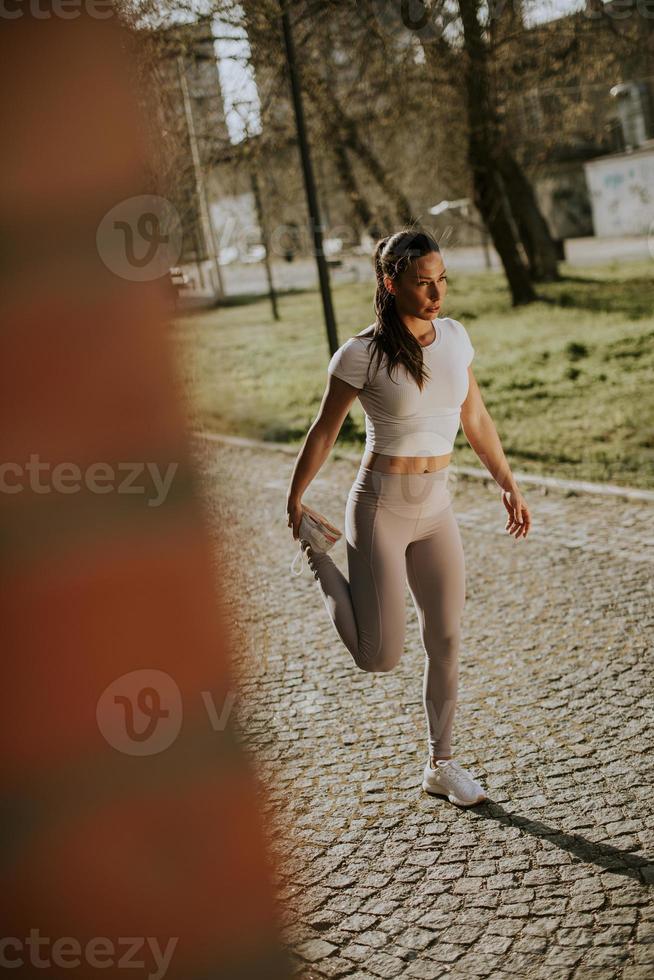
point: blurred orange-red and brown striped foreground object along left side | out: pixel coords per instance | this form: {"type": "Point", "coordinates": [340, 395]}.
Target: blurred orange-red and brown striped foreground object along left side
{"type": "Point", "coordinates": [133, 839]}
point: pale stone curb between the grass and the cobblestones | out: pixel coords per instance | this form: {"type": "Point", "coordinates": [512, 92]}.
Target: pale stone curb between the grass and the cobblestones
{"type": "Point", "coordinates": [578, 486]}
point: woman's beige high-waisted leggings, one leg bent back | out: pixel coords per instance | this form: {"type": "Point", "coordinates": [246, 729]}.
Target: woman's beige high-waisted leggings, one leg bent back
{"type": "Point", "coordinates": [401, 528]}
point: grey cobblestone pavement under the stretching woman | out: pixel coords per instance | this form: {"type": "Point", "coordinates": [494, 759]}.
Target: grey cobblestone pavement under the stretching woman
{"type": "Point", "coordinates": [552, 877]}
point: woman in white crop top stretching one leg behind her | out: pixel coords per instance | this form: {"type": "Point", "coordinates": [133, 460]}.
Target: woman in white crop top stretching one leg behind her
{"type": "Point", "coordinates": [411, 371]}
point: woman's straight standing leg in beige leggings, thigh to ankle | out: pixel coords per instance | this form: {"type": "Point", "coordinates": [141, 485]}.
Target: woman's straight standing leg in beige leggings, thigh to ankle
{"type": "Point", "coordinates": [436, 576]}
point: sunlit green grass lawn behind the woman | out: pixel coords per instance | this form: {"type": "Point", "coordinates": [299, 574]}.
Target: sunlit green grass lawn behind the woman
{"type": "Point", "coordinates": [568, 380]}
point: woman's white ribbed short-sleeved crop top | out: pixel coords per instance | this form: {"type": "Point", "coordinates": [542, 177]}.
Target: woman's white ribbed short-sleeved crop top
{"type": "Point", "coordinates": [401, 420]}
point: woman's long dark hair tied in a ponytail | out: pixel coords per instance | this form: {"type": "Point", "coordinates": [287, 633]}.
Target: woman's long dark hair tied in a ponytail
{"type": "Point", "coordinates": [392, 256]}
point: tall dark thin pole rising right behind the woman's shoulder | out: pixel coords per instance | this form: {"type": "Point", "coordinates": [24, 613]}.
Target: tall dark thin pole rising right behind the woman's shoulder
{"type": "Point", "coordinates": [309, 182]}
